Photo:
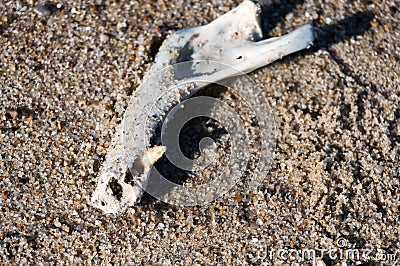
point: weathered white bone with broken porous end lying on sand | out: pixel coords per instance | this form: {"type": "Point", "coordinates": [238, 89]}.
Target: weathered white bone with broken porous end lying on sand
{"type": "Point", "coordinates": [234, 40]}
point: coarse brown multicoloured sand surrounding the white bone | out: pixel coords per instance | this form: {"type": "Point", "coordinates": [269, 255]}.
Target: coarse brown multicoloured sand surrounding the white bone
{"type": "Point", "coordinates": [67, 70]}
